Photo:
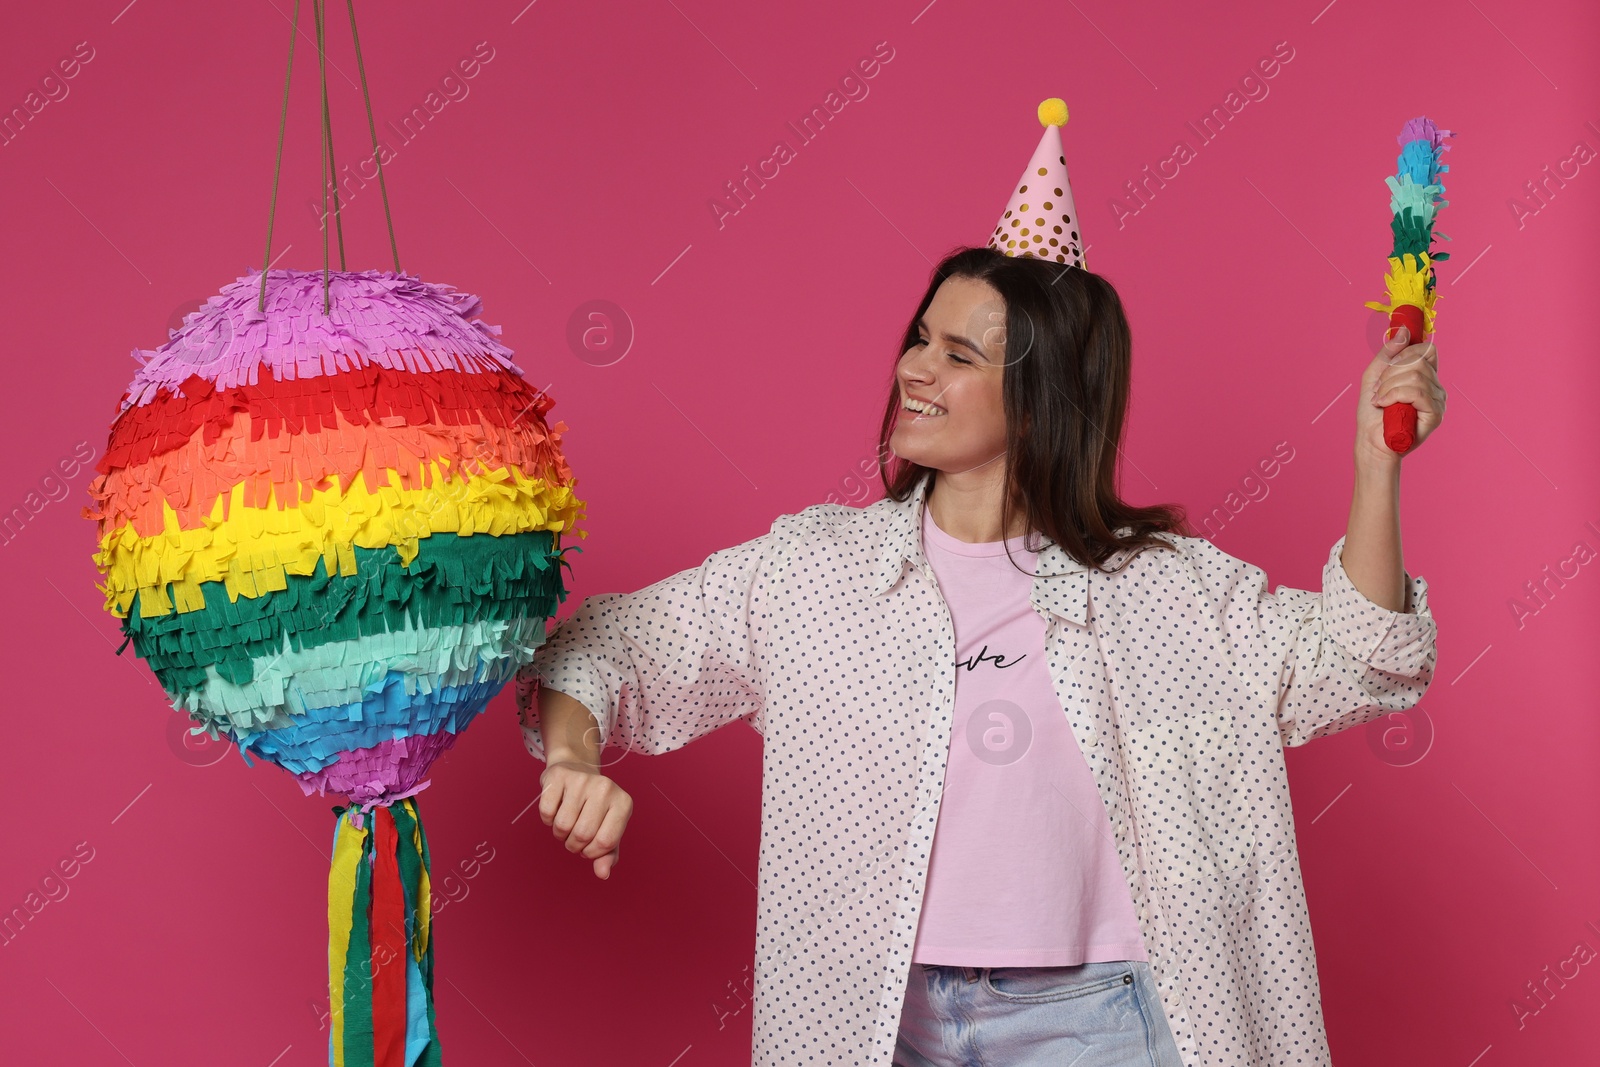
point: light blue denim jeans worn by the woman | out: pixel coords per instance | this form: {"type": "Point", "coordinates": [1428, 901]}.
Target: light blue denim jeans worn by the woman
{"type": "Point", "coordinates": [1092, 1015]}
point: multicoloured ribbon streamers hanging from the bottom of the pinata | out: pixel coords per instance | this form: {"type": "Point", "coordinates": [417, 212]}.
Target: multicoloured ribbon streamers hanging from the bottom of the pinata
{"type": "Point", "coordinates": [380, 941]}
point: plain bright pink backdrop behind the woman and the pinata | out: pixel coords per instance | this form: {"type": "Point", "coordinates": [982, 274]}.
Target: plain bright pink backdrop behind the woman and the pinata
{"type": "Point", "coordinates": [578, 167]}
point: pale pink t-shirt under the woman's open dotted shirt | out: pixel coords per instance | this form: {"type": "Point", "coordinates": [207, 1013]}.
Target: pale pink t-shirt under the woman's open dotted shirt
{"type": "Point", "coordinates": [1023, 869]}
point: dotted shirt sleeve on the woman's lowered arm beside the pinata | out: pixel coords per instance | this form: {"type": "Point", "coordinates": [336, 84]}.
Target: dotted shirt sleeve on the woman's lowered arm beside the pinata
{"type": "Point", "coordinates": [666, 665]}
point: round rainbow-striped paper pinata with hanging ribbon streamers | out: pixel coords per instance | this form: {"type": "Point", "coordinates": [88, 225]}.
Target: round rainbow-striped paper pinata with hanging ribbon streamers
{"type": "Point", "coordinates": [334, 537]}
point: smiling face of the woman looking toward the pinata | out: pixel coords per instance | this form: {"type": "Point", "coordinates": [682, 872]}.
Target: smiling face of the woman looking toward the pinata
{"type": "Point", "coordinates": [953, 417]}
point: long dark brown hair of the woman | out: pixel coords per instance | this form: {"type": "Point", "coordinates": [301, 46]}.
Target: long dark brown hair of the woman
{"type": "Point", "coordinates": [1066, 406]}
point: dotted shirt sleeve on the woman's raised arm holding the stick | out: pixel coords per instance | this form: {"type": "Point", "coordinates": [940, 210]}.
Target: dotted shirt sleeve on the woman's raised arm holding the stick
{"type": "Point", "coordinates": [1338, 658]}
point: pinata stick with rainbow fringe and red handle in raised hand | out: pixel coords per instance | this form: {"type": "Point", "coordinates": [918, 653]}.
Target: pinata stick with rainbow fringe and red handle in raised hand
{"type": "Point", "coordinates": [1414, 198]}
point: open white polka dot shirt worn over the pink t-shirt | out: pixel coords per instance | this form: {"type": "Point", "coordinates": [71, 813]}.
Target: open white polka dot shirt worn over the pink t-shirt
{"type": "Point", "coordinates": [1183, 679]}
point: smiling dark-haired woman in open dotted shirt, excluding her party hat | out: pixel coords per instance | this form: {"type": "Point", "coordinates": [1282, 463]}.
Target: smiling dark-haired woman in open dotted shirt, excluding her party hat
{"type": "Point", "coordinates": [1086, 701]}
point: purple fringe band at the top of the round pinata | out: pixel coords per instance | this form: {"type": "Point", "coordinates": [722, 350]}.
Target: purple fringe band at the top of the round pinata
{"type": "Point", "coordinates": [394, 321]}
